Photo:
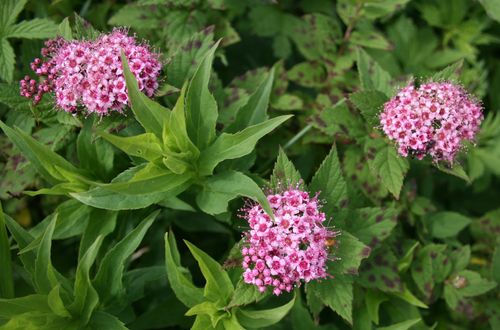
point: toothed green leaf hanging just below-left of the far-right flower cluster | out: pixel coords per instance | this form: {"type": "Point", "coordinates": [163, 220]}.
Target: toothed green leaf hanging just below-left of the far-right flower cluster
{"type": "Point", "coordinates": [385, 163]}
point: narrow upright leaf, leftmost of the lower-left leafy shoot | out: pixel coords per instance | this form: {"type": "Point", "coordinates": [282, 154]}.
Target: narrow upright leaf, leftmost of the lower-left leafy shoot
{"type": "Point", "coordinates": [44, 276]}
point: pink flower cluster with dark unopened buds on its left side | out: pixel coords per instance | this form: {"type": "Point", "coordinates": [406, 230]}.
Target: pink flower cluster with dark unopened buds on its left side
{"type": "Point", "coordinates": [89, 74]}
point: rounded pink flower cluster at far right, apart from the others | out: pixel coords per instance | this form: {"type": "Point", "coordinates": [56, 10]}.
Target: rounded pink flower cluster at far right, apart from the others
{"type": "Point", "coordinates": [433, 119]}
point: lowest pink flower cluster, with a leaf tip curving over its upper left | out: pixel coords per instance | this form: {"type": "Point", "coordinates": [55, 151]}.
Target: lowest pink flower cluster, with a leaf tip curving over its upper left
{"type": "Point", "coordinates": [280, 253]}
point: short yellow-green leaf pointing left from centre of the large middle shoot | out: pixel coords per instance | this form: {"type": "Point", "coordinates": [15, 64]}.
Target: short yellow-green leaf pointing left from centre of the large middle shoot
{"type": "Point", "coordinates": [147, 145]}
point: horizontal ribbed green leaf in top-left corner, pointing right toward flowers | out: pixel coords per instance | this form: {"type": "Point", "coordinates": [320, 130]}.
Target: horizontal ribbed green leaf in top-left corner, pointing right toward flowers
{"type": "Point", "coordinates": [38, 28]}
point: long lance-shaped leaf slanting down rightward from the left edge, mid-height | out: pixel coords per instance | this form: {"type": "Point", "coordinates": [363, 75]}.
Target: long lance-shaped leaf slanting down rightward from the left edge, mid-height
{"type": "Point", "coordinates": [42, 157]}
